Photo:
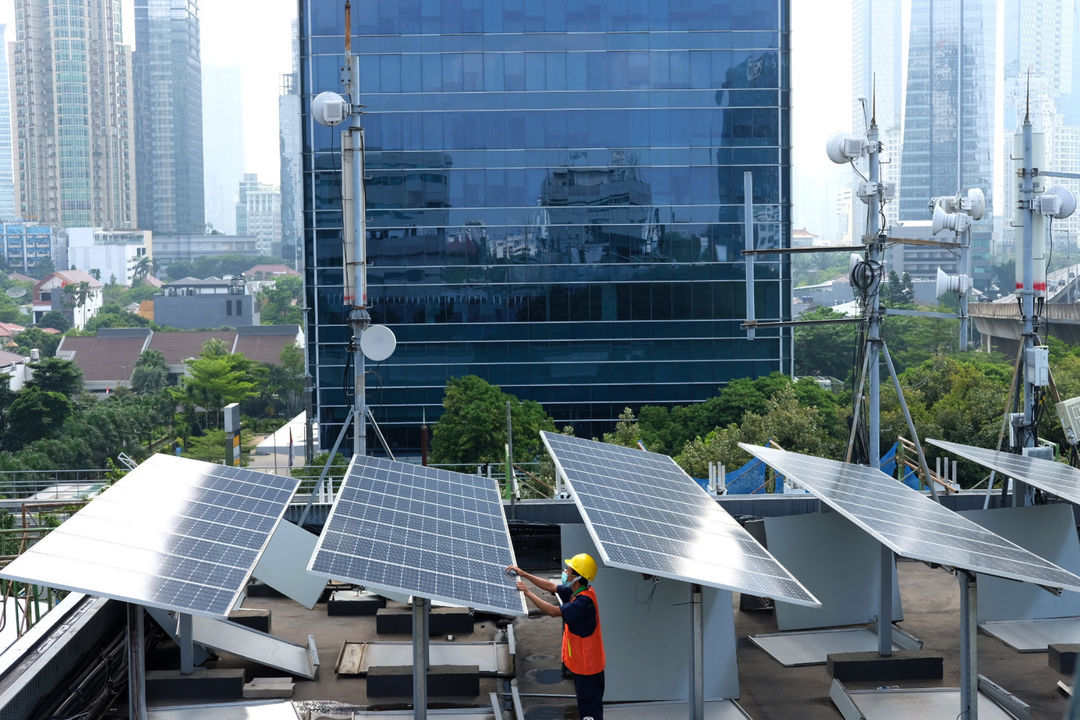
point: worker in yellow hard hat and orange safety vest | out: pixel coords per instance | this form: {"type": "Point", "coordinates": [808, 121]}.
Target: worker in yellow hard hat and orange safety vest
{"type": "Point", "coordinates": [583, 643]}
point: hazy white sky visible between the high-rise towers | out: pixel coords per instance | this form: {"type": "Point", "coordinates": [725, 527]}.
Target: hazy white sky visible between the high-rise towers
{"type": "Point", "coordinates": [254, 35]}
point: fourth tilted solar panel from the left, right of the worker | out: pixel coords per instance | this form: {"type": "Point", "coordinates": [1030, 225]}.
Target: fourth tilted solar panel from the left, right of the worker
{"type": "Point", "coordinates": [911, 524]}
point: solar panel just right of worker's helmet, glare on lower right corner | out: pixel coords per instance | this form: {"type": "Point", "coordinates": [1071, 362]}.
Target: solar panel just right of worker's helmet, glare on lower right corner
{"type": "Point", "coordinates": [646, 515]}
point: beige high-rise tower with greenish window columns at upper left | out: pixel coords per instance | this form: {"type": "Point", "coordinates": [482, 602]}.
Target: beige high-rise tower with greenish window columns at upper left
{"type": "Point", "coordinates": [74, 130]}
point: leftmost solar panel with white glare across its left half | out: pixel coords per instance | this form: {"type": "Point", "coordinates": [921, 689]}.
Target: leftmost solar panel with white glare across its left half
{"type": "Point", "coordinates": [173, 534]}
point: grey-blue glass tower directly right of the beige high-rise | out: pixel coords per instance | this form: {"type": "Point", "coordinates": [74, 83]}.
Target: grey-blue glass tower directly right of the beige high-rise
{"type": "Point", "coordinates": [169, 146]}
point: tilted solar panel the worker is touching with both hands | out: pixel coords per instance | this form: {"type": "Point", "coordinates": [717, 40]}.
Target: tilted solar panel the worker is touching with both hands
{"type": "Point", "coordinates": [438, 535]}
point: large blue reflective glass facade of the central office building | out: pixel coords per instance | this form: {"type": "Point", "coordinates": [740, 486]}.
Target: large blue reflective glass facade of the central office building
{"type": "Point", "coordinates": [555, 200]}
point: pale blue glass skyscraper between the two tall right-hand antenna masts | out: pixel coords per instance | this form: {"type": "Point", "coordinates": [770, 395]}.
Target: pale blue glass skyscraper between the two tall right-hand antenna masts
{"type": "Point", "coordinates": [949, 114]}
